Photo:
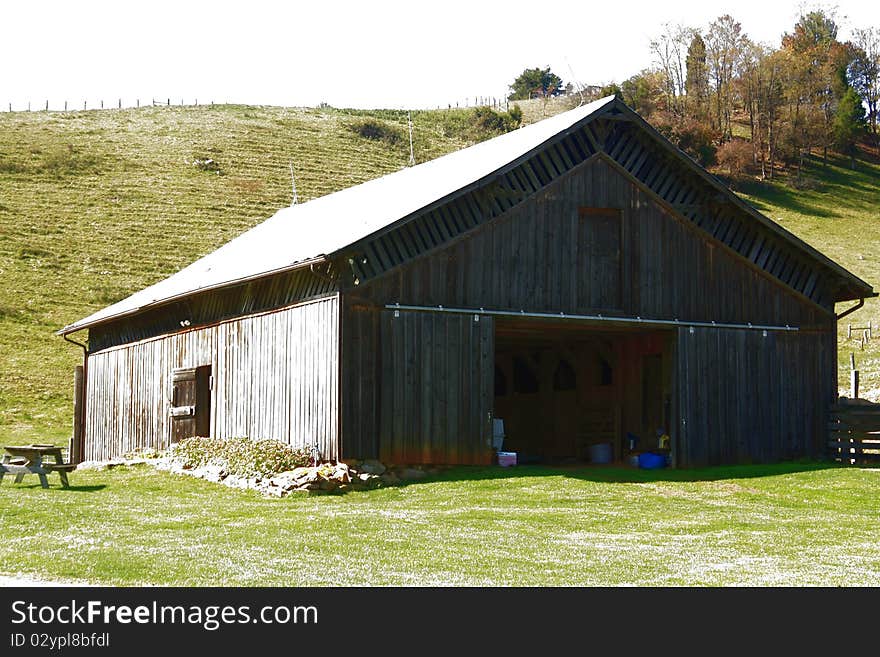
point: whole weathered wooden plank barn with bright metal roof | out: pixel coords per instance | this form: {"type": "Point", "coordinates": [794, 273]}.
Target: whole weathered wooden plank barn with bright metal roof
{"type": "Point", "coordinates": [580, 279]}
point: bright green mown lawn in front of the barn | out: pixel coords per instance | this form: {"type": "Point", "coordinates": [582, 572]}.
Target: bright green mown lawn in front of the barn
{"type": "Point", "coordinates": [789, 524]}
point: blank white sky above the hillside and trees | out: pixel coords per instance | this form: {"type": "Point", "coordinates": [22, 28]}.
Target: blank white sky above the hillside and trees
{"type": "Point", "coordinates": [380, 53]}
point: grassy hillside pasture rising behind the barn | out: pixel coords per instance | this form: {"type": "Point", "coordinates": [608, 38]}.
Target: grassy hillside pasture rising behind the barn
{"type": "Point", "coordinates": [96, 205]}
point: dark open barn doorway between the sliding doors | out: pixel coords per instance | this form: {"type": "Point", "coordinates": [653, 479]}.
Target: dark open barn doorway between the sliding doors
{"type": "Point", "coordinates": [568, 391]}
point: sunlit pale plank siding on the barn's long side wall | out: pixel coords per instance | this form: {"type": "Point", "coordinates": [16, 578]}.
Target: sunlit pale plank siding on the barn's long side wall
{"type": "Point", "coordinates": [275, 376]}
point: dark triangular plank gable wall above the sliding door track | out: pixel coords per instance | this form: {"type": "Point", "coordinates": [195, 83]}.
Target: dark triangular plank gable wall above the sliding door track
{"type": "Point", "coordinates": [542, 256]}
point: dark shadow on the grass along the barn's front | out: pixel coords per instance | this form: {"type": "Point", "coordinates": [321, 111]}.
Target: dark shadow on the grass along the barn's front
{"type": "Point", "coordinates": [626, 474]}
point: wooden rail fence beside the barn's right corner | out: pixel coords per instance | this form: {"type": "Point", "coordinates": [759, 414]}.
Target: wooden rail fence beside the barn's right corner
{"type": "Point", "coordinates": [854, 434]}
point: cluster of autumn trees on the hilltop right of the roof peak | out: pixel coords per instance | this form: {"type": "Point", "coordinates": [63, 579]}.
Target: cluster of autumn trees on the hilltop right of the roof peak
{"type": "Point", "coordinates": [808, 94]}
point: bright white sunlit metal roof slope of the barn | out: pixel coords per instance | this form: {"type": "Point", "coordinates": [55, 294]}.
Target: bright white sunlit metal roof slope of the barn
{"type": "Point", "coordinates": [308, 232]}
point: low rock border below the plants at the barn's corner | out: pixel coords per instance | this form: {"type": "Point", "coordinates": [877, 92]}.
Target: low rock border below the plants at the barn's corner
{"type": "Point", "coordinates": [323, 478]}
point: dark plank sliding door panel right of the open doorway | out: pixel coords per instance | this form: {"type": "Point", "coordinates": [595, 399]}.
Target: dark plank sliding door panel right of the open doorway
{"type": "Point", "coordinates": [748, 397]}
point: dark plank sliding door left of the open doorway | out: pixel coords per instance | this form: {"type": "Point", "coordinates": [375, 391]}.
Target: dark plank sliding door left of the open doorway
{"type": "Point", "coordinates": [436, 387]}
